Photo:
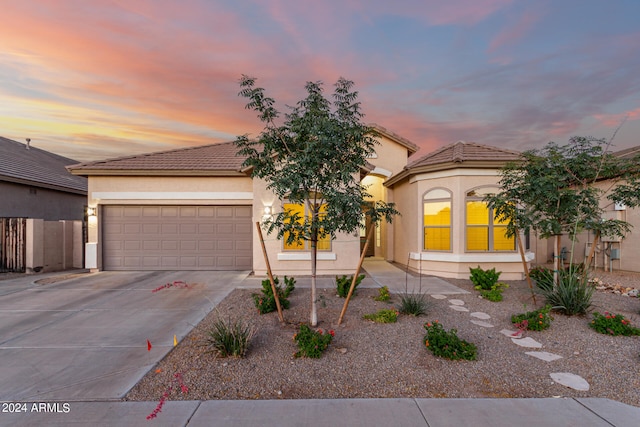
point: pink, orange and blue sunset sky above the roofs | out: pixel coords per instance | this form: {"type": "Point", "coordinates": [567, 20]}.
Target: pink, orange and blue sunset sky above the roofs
{"type": "Point", "coordinates": [106, 78]}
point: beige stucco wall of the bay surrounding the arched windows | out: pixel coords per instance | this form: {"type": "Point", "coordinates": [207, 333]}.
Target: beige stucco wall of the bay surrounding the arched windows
{"type": "Point", "coordinates": [454, 264]}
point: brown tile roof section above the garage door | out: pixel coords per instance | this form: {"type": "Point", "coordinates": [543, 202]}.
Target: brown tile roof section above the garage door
{"type": "Point", "coordinates": [218, 159]}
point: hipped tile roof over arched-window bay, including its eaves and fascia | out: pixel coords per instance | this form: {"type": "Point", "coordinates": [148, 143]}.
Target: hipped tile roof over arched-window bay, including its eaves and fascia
{"type": "Point", "coordinates": [457, 155]}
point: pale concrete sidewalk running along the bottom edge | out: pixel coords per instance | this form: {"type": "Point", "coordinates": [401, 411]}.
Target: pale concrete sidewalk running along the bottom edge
{"type": "Point", "coordinates": [343, 412]}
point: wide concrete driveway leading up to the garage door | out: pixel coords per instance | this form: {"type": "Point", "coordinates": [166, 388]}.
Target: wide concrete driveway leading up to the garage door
{"type": "Point", "coordinates": [85, 338]}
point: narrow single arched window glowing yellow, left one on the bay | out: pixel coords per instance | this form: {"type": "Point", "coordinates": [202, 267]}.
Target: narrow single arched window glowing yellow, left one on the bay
{"type": "Point", "coordinates": [437, 220]}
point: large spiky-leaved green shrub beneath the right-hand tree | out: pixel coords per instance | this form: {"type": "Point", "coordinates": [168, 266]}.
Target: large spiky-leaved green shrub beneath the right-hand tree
{"type": "Point", "coordinates": [572, 295]}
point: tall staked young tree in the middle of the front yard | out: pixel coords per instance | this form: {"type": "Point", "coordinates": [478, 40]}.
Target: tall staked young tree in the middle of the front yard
{"type": "Point", "coordinates": [314, 158]}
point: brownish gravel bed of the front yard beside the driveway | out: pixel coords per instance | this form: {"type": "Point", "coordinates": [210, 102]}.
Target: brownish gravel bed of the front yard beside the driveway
{"type": "Point", "coordinates": [371, 360]}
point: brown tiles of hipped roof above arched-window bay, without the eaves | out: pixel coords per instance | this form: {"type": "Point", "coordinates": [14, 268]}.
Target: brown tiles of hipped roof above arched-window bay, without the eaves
{"type": "Point", "coordinates": [461, 152]}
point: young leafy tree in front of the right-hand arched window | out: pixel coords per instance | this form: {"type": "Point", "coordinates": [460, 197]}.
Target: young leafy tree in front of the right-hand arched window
{"type": "Point", "coordinates": [554, 190]}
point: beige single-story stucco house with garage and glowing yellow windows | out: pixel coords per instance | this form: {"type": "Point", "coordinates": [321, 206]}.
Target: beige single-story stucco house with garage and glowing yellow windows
{"type": "Point", "coordinates": [197, 208]}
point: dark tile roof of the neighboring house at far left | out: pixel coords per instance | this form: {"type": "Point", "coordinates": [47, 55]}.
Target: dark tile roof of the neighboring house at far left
{"type": "Point", "coordinates": [28, 165]}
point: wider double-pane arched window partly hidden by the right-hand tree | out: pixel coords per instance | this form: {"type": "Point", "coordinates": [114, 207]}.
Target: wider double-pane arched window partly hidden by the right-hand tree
{"type": "Point", "coordinates": [484, 232]}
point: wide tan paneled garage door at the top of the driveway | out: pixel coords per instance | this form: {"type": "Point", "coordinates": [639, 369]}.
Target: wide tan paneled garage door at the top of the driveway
{"type": "Point", "coordinates": [177, 237]}
